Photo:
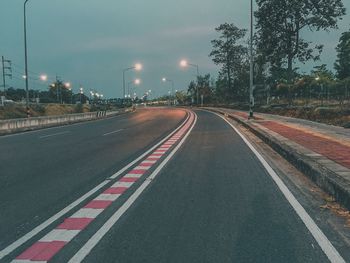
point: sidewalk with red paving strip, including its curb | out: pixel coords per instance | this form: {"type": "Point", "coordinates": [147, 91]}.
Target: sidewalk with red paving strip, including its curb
{"type": "Point", "coordinates": [320, 151]}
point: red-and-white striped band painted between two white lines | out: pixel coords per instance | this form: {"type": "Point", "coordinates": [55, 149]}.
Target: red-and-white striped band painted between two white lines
{"type": "Point", "coordinates": [48, 246]}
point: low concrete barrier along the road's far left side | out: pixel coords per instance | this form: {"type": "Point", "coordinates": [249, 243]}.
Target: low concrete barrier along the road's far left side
{"type": "Point", "coordinates": [25, 124]}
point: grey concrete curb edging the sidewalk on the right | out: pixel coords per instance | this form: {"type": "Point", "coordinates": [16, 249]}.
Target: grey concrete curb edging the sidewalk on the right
{"type": "Point", "coordinates": [328, 180]}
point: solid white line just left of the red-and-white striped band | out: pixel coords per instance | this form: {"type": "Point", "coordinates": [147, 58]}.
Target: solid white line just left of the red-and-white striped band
{"type": "Point", "coordinates": [10, 248]}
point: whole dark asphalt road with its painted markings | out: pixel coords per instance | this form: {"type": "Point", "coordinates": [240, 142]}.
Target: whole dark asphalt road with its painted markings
{"type": "Point", "coordinates": [157, 185]}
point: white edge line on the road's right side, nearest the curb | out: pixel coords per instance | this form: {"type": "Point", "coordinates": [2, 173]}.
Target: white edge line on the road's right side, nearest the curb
{"type": "Point", "coordinates": [327, 247]}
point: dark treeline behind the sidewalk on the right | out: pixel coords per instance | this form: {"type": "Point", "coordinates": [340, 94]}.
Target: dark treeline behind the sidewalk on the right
{"type": "Point", "coordinates": [278, 47]}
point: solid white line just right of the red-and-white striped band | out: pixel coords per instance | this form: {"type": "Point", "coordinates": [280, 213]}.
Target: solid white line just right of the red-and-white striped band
{"type": "Point", "coordinates": [96, 238]}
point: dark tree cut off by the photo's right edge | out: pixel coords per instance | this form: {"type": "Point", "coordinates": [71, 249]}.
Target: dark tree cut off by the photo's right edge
{"type": "Point", "coordinates": [342, 65]}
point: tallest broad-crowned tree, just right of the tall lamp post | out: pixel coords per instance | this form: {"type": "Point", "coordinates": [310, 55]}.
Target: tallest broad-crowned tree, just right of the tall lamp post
{"type": "Point", "coordinates": [279, 27]}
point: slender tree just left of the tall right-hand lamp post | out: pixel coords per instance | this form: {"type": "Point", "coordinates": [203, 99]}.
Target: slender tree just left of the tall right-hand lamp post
{"type": "Point", "coordinates": [227, 51]}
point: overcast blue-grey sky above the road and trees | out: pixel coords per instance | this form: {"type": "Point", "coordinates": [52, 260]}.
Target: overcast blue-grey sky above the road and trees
{"type": "Point", "coordinates": [89, 42]}
